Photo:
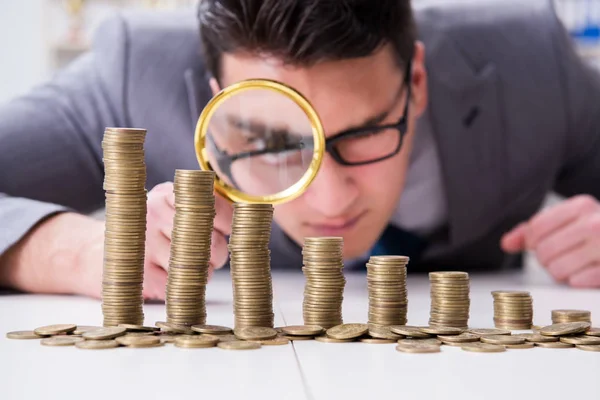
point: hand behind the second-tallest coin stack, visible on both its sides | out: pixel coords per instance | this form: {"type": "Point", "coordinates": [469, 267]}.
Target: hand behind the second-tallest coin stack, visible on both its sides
{"type": "Point", "coordinates": [161, 211]}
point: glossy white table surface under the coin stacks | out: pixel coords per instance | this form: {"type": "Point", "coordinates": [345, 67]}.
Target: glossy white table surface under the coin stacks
{"type": "Point", "coordinates": [304, 370]}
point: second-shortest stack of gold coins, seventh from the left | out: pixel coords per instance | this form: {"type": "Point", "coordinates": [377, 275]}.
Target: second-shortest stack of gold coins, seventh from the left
{"type": "Point", "coordinates": [512, 309]}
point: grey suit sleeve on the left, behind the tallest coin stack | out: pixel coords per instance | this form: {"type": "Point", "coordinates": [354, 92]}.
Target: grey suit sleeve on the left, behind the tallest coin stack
{"type": "Point", "coordinates": [50, 139]}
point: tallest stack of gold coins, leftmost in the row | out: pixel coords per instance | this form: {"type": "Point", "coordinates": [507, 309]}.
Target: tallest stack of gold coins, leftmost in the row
{"type": "Point", "coordinates": [125, 232]}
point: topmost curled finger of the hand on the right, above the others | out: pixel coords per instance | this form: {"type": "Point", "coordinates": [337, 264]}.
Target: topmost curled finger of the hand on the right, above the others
{"type": "Point", "coordinates": [550, 219]}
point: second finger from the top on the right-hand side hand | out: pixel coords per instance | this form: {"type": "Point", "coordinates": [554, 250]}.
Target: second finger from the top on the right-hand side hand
{"type": "Point", "coordinates": [563, 240]}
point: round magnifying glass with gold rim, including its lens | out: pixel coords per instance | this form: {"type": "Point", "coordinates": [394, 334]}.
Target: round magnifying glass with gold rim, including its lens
{"type": "Point", "coordinates": [263, 139]}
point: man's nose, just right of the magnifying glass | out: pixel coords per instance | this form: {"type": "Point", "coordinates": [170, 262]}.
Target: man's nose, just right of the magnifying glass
{"type": "Point", "coordinates": [333, 191]}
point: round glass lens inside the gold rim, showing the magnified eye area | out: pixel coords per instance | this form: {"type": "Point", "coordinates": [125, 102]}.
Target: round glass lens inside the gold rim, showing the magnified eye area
{"type": "Point", "coordinates": [259, 142]}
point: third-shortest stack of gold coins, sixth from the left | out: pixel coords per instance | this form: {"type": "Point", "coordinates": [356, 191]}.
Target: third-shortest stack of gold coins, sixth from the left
{"type": "Point", "coordinates": [450, 300]}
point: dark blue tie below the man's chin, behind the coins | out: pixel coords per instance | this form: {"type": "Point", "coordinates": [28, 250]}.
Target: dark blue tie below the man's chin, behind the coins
{"type": "Point", "coordinates": [397, 241]}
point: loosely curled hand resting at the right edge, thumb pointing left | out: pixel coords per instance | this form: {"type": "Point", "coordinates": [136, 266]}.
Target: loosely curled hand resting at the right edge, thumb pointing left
{"type": "Point", "coordinates": [565, 239]}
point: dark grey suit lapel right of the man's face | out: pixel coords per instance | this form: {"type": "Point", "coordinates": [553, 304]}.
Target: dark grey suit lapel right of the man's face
{"type": "Point", "coordinates": [466, 114]}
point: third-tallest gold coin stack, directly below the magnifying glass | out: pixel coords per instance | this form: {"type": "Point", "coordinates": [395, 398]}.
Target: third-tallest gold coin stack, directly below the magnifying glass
{"type": "Point", "coordinates": [250, 261]}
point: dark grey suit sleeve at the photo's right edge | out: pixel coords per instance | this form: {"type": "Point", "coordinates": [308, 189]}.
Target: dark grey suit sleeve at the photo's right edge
{"type": "Point", "coordinates": [580, 171]}
